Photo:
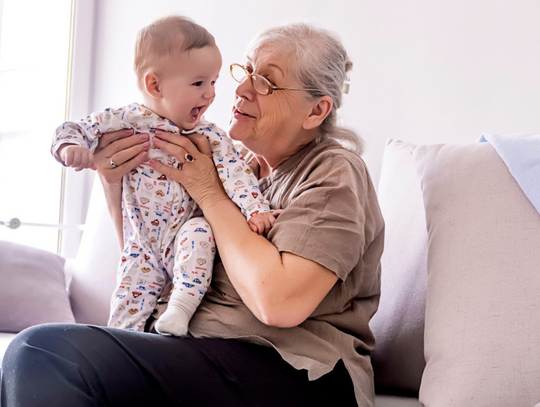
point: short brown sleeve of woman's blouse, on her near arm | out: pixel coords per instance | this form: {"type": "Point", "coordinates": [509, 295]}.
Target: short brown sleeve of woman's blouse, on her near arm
{"type": "Point", "coordinates": [323, 219]}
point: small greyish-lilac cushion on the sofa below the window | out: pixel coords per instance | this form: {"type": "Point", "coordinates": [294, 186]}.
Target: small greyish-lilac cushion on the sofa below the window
{"type": "Point", "coordinates": [32, 288]}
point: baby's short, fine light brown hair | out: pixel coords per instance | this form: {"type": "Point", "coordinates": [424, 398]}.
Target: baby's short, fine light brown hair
{"type": "Point", "coordinates": [164, 37]}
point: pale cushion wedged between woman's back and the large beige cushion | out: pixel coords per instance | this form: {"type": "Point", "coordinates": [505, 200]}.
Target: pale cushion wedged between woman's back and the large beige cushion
{"type": "Point", "coordinates": [398, 325]}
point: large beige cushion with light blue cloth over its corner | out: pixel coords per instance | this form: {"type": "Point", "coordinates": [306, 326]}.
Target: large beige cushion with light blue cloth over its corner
{"type": "Point", "coordinates": [482, 334]}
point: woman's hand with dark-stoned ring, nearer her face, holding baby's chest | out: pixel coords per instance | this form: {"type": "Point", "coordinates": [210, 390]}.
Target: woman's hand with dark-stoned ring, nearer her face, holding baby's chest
{"type": "Point", "coordinates": [196, 171]}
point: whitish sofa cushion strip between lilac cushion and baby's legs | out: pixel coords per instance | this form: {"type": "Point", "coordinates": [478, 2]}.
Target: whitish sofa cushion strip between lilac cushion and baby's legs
{"type": "Point", "coordinates": [96, 264]}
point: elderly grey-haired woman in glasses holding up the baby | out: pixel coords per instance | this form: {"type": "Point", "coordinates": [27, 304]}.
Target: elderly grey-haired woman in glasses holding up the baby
{"type": "Point", "coordinates": [285, 322]}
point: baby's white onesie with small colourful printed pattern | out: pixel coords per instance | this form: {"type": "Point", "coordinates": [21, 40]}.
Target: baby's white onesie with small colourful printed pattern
{"type": "Point", "coordinates": [163, 239]}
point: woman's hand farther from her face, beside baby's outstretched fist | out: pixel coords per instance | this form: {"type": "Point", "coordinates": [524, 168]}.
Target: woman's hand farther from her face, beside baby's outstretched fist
{"type": "Point", "coordinates": [122, 148]}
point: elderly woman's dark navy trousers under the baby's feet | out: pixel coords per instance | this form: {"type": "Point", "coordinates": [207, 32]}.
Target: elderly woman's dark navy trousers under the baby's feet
{"type": "Point", "coordinates": [81, 365]}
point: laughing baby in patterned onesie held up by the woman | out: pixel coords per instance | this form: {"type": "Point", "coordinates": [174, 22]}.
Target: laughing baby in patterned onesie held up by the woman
{"type": "Point", "coordinates": [165, 238]}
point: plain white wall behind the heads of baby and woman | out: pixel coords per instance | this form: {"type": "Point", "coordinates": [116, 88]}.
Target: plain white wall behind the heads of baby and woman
{"type": "Point", "coordinates": [424, 71]}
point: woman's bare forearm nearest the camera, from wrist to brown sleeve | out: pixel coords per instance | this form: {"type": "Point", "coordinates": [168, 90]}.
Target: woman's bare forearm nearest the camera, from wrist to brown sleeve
{"type": "Point", "coordinates": [280, 289]}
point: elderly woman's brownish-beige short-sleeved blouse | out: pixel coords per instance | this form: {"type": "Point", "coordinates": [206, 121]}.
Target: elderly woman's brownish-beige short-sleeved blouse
{"type": "Point", "coordinates": [332, 217]}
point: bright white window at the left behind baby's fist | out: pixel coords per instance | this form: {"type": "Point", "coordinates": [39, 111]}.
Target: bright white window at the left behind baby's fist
{"type": "Point", "coordinates": [35, 42]}
